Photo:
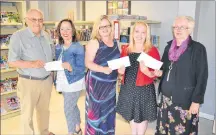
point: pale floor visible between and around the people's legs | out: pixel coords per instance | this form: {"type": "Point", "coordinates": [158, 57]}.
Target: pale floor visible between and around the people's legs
{"type": "Point", "coordinates": [12, 126]}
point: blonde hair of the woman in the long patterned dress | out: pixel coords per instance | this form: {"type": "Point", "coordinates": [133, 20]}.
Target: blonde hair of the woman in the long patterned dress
{"type": "Point", "coordinates": [95, 32]}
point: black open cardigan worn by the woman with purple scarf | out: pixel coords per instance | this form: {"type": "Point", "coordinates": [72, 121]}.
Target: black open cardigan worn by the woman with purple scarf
{"type": "Point", "coordinates": [191, 75]}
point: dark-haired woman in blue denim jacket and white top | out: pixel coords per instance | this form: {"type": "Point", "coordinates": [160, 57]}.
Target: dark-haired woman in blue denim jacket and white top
{"type": "Point", "coordinates": [70, 81]}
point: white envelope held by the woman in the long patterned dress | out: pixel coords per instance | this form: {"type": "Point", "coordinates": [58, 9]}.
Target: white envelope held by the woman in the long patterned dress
{"type": "Point", "coordinates": [117, 63]}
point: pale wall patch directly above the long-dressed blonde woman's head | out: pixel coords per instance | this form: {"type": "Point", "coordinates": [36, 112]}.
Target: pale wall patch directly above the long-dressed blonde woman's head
{"type": "Point", "coordinates": [94, 9]}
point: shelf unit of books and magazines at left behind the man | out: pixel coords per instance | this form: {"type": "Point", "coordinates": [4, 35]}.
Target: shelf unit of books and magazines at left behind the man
{"type": "Point", "coordinates": [8, 27]}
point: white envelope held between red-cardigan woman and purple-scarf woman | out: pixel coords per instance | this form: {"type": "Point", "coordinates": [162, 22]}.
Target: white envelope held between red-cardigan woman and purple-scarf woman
{"type": "Point", "coordinates": [150, 61]}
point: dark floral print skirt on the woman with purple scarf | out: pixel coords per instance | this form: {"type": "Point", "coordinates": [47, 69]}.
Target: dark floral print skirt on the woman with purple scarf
{"type": "Point", "coordinates": [173, 120]}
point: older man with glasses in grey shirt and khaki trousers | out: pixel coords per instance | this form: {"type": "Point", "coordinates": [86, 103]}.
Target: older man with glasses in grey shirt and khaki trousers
{"type": "Point", "coordinates": [29, 50]}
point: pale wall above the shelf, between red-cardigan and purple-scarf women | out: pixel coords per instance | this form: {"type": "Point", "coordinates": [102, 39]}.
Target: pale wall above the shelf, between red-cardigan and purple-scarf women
{"type": "Point", "coordinates": [163, 11]}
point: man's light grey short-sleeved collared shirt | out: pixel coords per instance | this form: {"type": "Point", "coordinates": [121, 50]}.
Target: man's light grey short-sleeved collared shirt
{"type": "Point", "coordinates": [25, 45]}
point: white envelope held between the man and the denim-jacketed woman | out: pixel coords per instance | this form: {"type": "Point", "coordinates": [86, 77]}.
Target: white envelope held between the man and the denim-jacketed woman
{"type": "Point", "coordinates": [53, 66]}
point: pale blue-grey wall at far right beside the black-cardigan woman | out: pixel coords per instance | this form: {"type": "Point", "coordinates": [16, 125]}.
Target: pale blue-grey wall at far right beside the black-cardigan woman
{"type": "Point", "coordinates": [206, 35]}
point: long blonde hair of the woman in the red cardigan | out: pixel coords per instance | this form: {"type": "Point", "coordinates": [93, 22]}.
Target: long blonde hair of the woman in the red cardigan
{"type": "Point", "coordinates": [147, 43]}
